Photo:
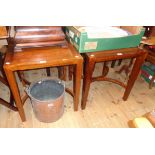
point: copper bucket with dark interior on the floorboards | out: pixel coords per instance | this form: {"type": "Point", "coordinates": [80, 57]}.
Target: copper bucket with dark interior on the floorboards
{"type": "Point", "coordinates": [47, 98]}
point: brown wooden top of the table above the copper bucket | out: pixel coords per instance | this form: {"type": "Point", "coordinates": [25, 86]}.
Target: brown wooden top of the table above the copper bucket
{"type": "Point", "coordinates": [41, 57]}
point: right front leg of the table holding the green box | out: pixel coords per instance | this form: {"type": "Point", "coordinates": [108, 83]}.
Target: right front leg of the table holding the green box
{"type": "Point", "coordinates": [134, 74]}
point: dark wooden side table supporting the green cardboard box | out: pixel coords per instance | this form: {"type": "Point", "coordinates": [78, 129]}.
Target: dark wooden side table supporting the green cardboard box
{"type": "Point", "coordinates": [102, 56]}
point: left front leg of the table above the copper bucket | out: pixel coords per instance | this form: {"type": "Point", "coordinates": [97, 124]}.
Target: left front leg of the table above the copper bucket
{"type": "Point", "coordinates": [14, 88]}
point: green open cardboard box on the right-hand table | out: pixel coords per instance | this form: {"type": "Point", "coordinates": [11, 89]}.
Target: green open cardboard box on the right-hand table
{"type": "Point", "coordinates": [84, 44]}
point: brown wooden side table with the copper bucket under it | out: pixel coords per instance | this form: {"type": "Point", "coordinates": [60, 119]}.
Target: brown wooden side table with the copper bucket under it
{"type": "Point", "coordinates": [36, 58]}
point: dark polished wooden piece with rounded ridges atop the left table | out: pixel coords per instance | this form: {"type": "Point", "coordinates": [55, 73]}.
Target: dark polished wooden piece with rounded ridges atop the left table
{"type": "Point", "coordinates": [38, 36]}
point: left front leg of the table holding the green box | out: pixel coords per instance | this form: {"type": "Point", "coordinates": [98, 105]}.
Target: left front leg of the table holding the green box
{"type": "Point", "coordinates": [87, 79]}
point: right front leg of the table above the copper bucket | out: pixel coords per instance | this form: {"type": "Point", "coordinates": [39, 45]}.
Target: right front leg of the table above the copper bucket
{"type": "Point", "coordinates": [77, 83]}
